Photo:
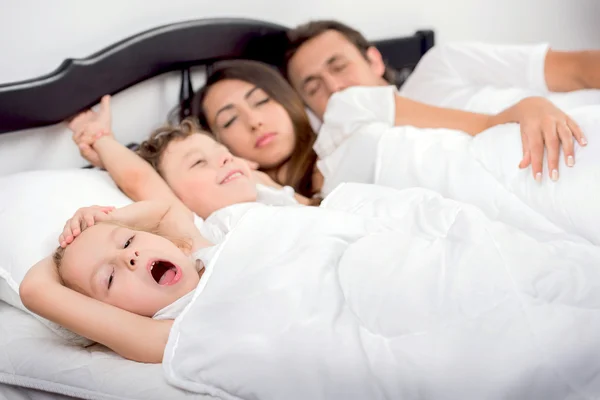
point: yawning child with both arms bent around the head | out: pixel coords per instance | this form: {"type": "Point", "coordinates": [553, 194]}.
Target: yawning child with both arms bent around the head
{"type": "Point", "coordinates": [124, 266]}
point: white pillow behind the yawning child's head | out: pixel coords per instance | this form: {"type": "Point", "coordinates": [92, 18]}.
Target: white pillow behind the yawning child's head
{"type": "Point", "coordinates": [34, 207]}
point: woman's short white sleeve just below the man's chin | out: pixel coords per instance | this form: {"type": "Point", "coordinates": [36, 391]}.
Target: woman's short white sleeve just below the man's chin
{"type": "Point", "coordinates": [352, 109]}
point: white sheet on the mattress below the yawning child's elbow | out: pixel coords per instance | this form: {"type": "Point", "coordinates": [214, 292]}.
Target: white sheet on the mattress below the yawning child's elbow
{"type": "Point", "coordinates": [32, 357]}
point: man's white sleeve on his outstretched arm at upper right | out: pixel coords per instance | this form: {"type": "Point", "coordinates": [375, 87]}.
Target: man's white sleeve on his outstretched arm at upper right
{"type": "Point", "coordinates": [453, 75]}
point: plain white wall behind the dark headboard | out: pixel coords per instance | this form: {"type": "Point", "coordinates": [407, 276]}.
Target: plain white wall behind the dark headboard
{"type": "Point", "coordinates": [36, 35]}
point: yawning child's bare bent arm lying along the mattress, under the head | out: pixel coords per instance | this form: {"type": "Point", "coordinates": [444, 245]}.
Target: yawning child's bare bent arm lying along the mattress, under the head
{"type": "Point", "coordinates": [130, 335]}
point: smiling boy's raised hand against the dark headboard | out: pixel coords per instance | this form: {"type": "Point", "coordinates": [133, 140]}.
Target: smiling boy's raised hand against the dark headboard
{"type": "Point", "coordinates": [88, 127]}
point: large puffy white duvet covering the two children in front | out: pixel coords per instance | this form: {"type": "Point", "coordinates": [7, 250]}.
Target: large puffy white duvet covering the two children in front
{"type": "Point", "coordinates": [387, 294]}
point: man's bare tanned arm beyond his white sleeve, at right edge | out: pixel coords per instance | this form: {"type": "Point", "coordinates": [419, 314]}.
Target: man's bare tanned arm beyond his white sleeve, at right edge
{"type": "Point", "coordinates": [566, 71]}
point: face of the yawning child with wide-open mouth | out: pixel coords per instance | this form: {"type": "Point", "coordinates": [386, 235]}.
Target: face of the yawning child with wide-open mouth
{"type": "Point", "coordinates": [134, 270]}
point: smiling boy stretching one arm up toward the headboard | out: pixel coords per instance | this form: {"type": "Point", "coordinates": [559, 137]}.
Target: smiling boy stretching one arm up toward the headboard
{"type": "Point", "coordinates": [178, 163]}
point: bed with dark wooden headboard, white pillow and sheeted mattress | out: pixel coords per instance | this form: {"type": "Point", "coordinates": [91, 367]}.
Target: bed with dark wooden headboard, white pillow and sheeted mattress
{"type": "Point", "coordinates": [35, 362]}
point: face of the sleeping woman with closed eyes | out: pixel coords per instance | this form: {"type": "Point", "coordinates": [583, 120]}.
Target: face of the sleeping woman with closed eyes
{"type": "Point", "coordinates": [250, 123]}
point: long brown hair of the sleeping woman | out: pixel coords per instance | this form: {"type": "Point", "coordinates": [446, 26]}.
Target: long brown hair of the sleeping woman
{"type": "Point", "coordinates": [301, 163]}
